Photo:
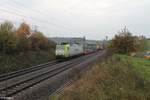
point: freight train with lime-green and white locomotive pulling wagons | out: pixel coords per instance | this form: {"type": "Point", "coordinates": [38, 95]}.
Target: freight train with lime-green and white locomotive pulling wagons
{"type": "Point", "coordinates": [66, 50]}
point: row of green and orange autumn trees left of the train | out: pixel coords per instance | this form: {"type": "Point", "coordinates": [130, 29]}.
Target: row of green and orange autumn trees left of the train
{"type": "Point", "coordinates": [22, 39]}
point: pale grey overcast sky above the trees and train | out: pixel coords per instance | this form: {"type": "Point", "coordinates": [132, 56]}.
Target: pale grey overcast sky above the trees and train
{"type": "Point", "coordinates": [94, 19]}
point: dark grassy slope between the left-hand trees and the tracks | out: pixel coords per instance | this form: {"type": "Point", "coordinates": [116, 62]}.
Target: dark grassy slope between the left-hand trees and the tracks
{"type": "Point", "coordinates": [15, 62]}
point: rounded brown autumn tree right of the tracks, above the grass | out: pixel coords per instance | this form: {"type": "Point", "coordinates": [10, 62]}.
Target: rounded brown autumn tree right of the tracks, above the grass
{"type": "Point", "coordinates": [125, 42]}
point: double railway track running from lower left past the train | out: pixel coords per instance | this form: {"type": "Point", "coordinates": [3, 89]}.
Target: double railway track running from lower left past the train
{"type": "Point", "coordinates": [15, 87]}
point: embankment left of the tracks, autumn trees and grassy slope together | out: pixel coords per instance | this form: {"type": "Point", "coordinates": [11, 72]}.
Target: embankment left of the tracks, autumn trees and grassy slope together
{"type": "Point", "coordinates": [21, 47]}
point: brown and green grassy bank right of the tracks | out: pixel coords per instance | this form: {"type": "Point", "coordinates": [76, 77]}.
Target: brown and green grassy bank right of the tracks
{"type": "Point", "coordinates": [118, 78]}
